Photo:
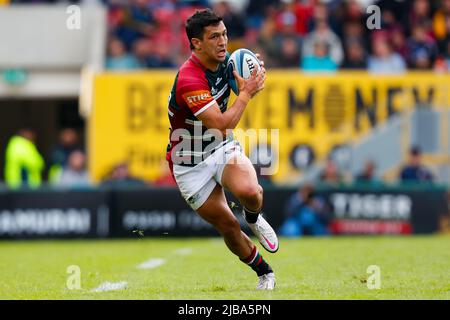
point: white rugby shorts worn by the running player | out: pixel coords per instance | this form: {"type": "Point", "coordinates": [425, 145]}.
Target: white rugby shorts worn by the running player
{"type": "Point", "coordinates": [197, 183]}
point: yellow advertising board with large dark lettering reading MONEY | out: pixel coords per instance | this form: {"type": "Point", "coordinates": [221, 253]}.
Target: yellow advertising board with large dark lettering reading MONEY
{"type": "Point", "coordinates": [129, 119]}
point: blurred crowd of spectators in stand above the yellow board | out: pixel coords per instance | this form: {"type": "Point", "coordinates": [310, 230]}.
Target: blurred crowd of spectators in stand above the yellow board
{"type": "Point", "coordinates": [312, 35]}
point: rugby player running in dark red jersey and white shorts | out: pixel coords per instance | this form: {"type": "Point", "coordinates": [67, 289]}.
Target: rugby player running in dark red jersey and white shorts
{"type": "Point", "coordinates": [198, 114]}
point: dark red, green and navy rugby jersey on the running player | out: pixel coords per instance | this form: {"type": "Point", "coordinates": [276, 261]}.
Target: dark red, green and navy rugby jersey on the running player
{"type": "Point", "coordinates": [195, 90]}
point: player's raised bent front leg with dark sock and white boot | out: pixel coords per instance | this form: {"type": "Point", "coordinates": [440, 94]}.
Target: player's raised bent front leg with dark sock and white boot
{"type": "Point", "coordinates": [240, 178]}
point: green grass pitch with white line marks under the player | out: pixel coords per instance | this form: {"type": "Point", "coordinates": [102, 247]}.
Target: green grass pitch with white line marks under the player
{"type": "Point", "coordinates": [411, 267]}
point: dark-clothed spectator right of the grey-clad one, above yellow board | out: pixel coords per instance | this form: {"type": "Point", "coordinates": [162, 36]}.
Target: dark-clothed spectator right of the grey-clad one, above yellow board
{"type": "Point", "coordinates": [422, 49]}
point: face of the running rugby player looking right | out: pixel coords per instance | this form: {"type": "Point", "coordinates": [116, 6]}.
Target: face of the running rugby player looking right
{"type": "Point", "coordinates": [215, 42]}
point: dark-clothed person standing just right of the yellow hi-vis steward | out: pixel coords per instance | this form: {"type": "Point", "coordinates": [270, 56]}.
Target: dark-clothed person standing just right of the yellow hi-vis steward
{"type": "Point", "coordinates": [68, 141]}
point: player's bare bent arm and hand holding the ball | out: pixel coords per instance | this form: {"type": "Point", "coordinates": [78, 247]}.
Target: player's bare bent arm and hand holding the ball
{"type": "Point", "coordinates": [213, 118]}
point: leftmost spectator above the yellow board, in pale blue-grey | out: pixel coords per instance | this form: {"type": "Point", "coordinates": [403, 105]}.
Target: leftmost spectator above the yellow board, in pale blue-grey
{"type": "Point", "coordinates": [118, 58]}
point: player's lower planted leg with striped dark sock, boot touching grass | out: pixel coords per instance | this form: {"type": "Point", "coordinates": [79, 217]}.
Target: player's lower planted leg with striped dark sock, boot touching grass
{"type": "Point", "coordinates": [217, 212]}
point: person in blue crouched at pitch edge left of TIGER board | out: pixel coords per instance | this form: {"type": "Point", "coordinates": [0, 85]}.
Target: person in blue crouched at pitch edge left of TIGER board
{"type": "Point", "coordinates": [306, 213]}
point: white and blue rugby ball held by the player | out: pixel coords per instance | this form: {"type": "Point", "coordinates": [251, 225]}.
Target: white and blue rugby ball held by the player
{"type": "Point", "coordinates": [244, 62]}
